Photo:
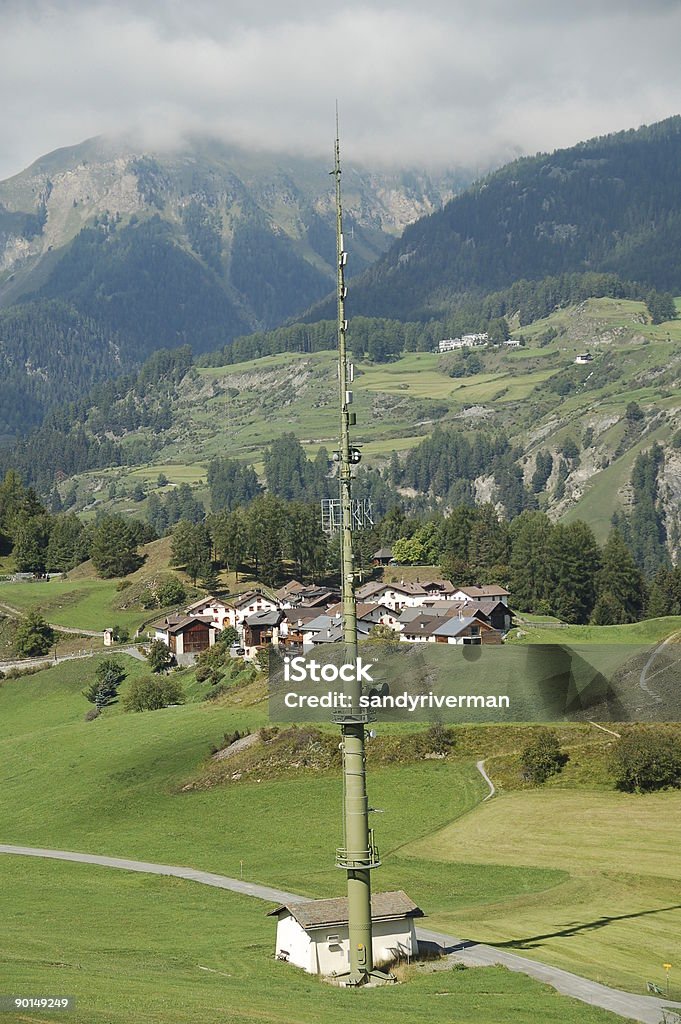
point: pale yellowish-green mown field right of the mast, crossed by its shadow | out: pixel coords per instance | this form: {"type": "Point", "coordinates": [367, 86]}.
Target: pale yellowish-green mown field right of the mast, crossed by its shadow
{"type": "Point", "coordinates": [618, 918]}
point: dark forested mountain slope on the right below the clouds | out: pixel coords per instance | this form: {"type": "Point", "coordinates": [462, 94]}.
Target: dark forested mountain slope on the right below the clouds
{"type": "Point", "coordinates": [609, 205]}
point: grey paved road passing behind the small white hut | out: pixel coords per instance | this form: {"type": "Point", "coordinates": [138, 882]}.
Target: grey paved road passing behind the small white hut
{"type": "Point", "coordinates": [646, 1009]}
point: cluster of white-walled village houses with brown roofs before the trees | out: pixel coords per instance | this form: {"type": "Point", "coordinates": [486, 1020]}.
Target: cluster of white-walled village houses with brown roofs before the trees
{"type": "Point", "coordinates": [301, 617]}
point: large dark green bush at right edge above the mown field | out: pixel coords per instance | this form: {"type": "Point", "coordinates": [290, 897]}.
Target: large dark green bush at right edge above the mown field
{"type": "Point", "coordinates": [645, 760]}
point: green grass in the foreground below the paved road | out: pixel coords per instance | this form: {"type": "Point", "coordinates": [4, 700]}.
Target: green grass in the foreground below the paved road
{"type": "Point", "coordinates": [174, 951]}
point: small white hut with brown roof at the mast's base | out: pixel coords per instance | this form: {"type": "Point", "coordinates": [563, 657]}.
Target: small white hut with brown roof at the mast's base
{"type": "Point", "coordinates": [314, 934]}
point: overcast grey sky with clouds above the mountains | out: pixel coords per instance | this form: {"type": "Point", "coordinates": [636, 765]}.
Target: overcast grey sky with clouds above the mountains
{"type": "Point", "coordinates": [459, 82]}
